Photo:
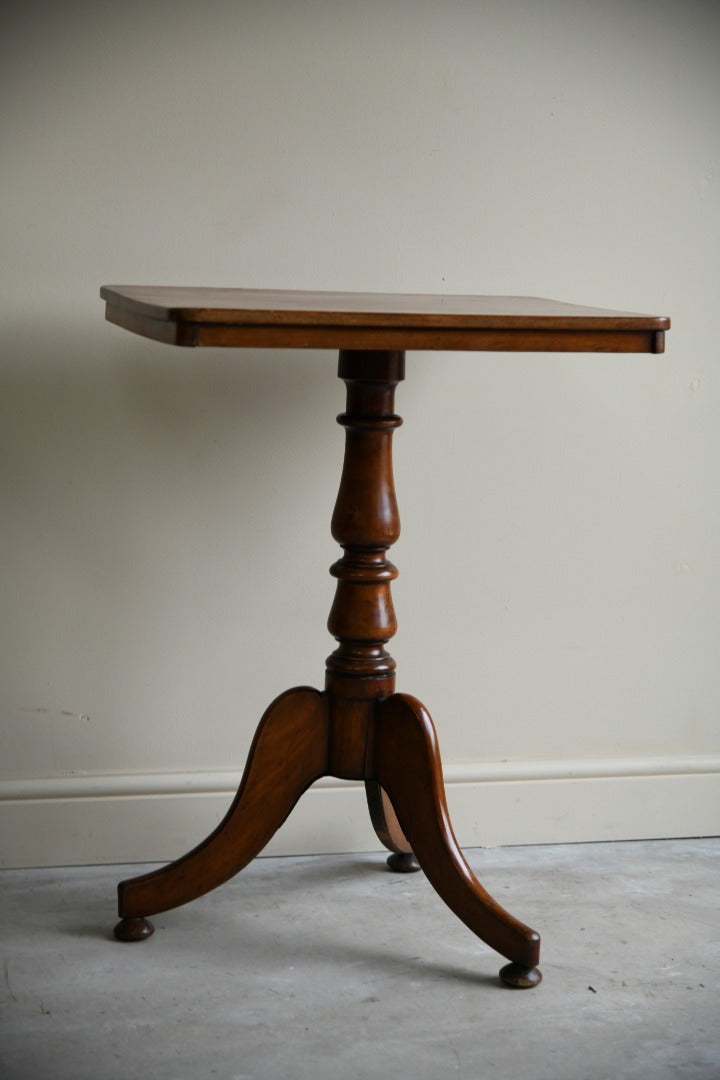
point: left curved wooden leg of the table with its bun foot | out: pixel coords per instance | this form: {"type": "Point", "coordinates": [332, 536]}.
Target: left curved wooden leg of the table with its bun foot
{"type": "Point", "coordinates": [289, 754]}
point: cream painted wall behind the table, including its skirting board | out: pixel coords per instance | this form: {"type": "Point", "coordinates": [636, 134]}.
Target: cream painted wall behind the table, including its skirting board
{"type": "Point", "coordinates": [166, 512]}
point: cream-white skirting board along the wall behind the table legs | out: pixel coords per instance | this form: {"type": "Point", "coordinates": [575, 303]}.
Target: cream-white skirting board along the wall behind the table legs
{"type": "Point", "coordinates": [85, 820]}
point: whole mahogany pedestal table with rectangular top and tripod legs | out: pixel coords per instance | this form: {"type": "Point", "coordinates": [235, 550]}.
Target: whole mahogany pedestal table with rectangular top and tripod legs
{"type": "Point", "coordinates": [359, 728]}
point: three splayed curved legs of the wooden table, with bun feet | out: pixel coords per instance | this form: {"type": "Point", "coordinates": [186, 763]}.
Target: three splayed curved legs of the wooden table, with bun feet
{"type": "Point", "coordinates": [293, 748]}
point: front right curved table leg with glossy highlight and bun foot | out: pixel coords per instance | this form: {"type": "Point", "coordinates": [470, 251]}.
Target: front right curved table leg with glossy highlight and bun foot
{"type": "Point", "coordinates": [407, 765]}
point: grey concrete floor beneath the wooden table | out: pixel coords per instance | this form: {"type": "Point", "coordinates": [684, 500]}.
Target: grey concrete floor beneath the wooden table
{"type": "Point", "coordinates": [327, 968]}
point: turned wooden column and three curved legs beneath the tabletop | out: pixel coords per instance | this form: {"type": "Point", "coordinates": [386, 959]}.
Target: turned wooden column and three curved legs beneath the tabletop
{"type": "Point", "coordinates": [358, 728]}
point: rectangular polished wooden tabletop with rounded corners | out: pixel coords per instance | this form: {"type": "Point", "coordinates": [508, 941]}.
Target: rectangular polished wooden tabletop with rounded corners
{"type": "Point", "coordinates": [289, 319]}
